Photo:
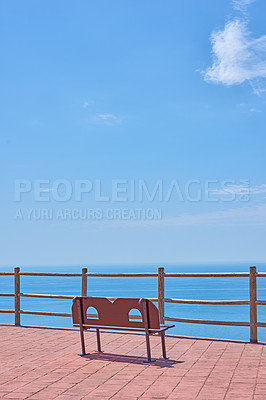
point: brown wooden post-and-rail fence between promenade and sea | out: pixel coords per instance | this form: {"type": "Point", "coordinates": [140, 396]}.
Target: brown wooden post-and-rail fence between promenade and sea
{"type": "Point", "coordinates": [161, 275]}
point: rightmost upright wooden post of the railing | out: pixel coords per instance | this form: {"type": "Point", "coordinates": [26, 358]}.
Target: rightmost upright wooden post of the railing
{"type": "Point", "coordinates": [252, 304]}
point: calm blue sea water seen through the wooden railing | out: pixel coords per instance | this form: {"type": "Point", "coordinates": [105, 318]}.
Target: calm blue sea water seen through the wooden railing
{"type": "Point", "coordinates": [186, 288]}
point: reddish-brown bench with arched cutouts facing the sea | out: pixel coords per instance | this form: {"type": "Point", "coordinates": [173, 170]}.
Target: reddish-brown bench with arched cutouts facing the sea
{"type": "Point", "coordinates": [115, 316]}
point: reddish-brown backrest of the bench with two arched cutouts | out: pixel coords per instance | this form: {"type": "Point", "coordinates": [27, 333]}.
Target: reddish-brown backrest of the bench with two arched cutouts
{"type": "Point", "coordinates": [115, 313]}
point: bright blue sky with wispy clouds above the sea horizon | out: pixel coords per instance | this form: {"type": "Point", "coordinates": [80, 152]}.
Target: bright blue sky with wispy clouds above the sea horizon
{"type": "Point", "coordinates": [166, 93]}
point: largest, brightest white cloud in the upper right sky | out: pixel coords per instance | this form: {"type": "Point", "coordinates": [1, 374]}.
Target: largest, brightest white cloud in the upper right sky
{"type": "Point", "coordinates": [237, 55]}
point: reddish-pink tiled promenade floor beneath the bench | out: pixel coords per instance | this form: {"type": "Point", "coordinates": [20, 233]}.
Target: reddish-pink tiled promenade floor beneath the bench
{"type": "Point", "coordinates": [43, 364]}
